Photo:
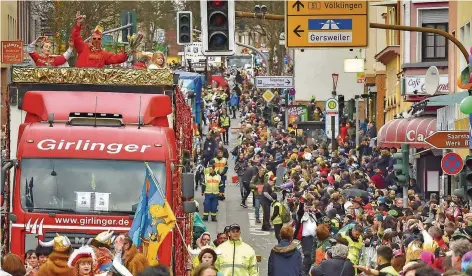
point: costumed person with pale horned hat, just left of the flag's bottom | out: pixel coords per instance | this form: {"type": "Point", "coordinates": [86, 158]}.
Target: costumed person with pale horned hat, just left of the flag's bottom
{"type": "Point", "coordinates": [101, 247]}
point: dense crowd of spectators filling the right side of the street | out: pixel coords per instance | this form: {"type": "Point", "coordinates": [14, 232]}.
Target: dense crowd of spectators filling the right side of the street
{"type": "Point", "coordinates": [347, 213]}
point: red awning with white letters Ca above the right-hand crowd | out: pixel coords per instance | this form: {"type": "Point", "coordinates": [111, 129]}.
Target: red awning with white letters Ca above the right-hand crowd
{"type": "Point", "coordinates": [411, 131]}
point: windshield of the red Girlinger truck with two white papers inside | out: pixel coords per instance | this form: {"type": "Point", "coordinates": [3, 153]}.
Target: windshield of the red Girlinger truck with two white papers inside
{"type": "Point", "coordinates": [84, 185]}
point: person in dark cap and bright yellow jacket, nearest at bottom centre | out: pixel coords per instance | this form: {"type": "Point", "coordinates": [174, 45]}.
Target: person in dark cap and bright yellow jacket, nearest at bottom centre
{"type": "Point", "coordinates": [237, 258]}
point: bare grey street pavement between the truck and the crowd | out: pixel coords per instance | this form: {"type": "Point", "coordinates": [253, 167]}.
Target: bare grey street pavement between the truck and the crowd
{"type": "Point", "coordinates": [230, 211]}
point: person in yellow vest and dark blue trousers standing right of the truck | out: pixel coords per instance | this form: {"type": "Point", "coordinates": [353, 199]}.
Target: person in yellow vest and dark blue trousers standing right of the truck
{"type": "Point", "coordinates": [212, 189]}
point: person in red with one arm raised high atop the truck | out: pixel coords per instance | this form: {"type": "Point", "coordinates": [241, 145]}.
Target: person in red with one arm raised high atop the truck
{"type": "Point", "coordinates": [92, 55]}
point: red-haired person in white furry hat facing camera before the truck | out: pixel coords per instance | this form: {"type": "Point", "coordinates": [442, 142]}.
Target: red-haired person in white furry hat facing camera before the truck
{"type": "Point", "coordinates": [82, 261]}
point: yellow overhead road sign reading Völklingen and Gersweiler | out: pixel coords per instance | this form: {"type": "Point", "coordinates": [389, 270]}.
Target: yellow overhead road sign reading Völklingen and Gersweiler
{"type": "Point", "coordinates": [321, 24]}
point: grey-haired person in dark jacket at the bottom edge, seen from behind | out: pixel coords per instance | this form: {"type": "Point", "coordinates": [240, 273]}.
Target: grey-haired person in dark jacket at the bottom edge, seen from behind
{"type": "Point", "coordinates": [336, 263]}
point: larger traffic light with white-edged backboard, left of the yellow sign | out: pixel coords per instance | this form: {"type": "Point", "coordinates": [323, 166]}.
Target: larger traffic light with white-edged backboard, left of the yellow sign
{"type": "Point", "coordinates": [218, 27]}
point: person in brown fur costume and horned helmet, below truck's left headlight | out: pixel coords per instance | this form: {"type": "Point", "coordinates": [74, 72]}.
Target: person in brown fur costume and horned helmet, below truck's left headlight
{"type": "Point", "coordinates": [57, 260]}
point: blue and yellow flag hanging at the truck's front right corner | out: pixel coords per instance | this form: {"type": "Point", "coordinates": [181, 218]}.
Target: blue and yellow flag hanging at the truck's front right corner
{"type": "Point", "coordinates": [153, 219]}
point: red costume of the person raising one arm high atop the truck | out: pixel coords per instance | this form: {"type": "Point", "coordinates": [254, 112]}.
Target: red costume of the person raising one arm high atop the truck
{"type": "Point", "coordinates": [91, 56]}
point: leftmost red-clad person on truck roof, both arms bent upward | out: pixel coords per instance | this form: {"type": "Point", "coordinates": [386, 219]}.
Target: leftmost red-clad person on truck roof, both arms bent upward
{"type": "Point", "coordinates": [44, 58]}
